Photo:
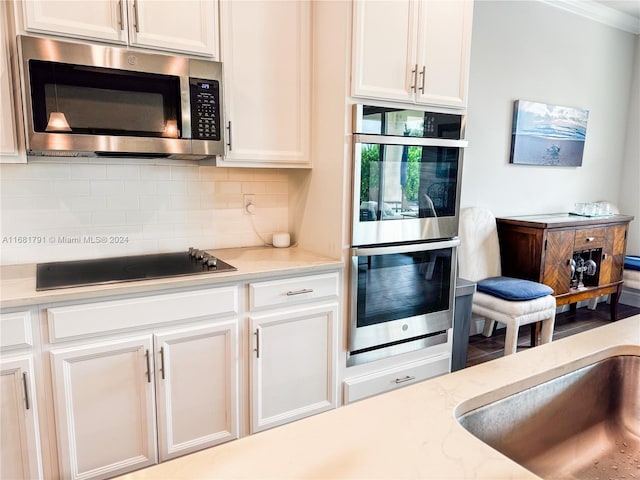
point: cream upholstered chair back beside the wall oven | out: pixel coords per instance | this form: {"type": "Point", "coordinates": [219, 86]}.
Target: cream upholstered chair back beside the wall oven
{"type": "Point", "coordinates": [479, 251]}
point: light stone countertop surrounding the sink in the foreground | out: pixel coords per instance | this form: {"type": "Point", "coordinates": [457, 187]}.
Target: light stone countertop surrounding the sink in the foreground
{"type": "Point", "coordinates": [407, 433]}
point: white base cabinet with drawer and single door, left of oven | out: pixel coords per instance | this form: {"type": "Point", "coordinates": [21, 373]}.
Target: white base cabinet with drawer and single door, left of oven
{"type": "Point", "coordinates": [294, 347]}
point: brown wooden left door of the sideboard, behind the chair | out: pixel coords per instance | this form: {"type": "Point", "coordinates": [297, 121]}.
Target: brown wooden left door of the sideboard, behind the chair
{"type": "Point", "coordinates": [557, 255]}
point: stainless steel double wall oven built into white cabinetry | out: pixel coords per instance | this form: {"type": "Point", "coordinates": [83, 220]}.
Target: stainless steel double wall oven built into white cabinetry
{"type": "Point", "coordinates": [406, 190]}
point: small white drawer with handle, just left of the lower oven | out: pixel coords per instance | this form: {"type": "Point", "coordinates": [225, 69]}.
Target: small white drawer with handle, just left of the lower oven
{"type": "Point", "coordinates": [292, 290]}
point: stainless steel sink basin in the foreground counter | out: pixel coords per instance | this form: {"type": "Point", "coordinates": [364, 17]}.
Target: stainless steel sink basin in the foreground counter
{"type": "Point", "coordinates": [584, 424]}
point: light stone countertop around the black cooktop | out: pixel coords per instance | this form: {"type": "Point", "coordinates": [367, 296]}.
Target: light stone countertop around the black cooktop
{"type": "Point", "coordinates": [18, 282]}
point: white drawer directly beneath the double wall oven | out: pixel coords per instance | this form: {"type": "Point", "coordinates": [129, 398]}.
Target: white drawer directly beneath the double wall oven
{"type": "Point", "coordinates": [386, 380]}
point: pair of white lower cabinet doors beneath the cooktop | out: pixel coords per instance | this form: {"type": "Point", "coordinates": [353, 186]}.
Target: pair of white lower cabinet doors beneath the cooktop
{"type": "Point", "coordinates": [108, 396]}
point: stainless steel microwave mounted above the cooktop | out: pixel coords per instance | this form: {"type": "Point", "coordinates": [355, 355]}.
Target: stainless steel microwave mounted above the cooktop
{"type": "Point", "coordinates": [93, 100]}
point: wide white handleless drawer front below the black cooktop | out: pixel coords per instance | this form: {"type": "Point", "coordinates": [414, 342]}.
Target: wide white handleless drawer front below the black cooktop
{"type": "Point", "coordinates": [93, 319]}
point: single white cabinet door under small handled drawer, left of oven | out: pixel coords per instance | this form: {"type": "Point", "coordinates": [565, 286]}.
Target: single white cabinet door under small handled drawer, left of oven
{"type": "Point", "coordinates": [293, 370]}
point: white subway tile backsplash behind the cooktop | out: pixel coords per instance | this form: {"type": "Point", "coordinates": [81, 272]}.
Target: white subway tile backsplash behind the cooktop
{"type": "Point", "coordinates": [154, 207]}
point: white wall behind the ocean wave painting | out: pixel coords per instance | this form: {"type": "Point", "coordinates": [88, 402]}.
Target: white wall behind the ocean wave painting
{"type": "Point", "coordinates": [533, 51]}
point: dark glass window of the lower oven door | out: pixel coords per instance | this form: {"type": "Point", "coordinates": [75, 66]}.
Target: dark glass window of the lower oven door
{"type": "Point", "coordinates": [402, 285]}
